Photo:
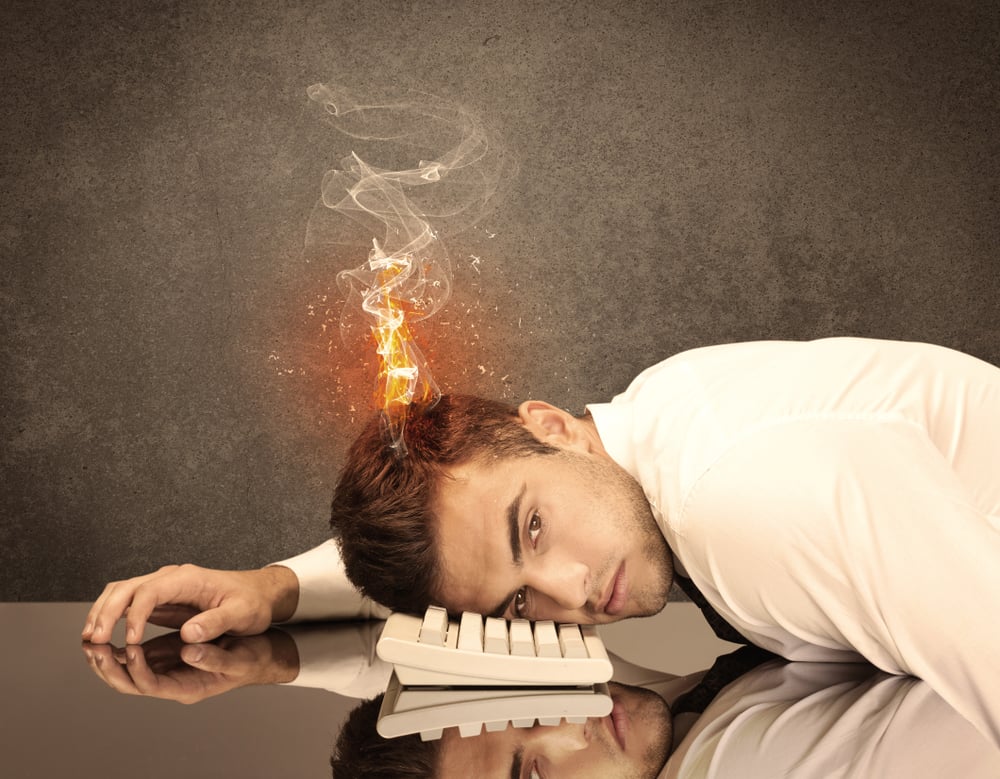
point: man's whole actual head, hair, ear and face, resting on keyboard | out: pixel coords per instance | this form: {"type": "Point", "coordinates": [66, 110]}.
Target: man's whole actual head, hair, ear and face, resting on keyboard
{"type": "Point", "coordinates": [499, 510]}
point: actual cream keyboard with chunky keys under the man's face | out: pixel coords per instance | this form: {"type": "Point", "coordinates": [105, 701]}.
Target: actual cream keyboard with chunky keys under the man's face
{"type": "Point", "coordinates": [491, 652]}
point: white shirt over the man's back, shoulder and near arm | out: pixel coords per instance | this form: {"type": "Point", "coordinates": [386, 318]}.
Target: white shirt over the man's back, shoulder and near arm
{"type": "Point", "coordinates": [832, 497]}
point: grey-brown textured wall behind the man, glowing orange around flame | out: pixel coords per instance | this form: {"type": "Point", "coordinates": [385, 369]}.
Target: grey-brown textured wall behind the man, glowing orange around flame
{"type": "Point", "coordinates": [689, 173]}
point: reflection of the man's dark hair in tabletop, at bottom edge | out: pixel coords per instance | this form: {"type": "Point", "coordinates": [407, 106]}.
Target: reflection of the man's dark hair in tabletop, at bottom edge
{"type": "Point", "coordinates": [361, 753]}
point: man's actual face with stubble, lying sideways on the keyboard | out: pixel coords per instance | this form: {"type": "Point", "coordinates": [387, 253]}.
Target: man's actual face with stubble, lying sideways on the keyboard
{"type": "Point", "coordinates": [587, 547]}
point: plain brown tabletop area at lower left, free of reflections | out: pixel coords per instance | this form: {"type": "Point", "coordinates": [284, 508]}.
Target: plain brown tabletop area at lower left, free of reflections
{"type": "Point", "coordinates": [60, 720]}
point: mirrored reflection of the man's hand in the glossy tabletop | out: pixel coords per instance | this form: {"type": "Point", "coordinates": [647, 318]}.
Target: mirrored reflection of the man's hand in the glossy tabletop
{"type": "Point", "coordinates": [166, 667]}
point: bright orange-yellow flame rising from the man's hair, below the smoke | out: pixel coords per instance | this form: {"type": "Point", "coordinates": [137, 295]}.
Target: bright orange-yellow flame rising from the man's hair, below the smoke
{"type": "Point", "coordinates": [403, 378]}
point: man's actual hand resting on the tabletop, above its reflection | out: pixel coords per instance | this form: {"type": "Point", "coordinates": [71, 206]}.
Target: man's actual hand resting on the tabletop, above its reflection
{"type": "Point", "coordinates": [203, 602]}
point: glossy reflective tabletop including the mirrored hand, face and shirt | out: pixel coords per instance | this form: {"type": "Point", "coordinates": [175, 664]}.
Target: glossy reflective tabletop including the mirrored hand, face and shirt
{"type": "Point", "coordinates": [276, 705]}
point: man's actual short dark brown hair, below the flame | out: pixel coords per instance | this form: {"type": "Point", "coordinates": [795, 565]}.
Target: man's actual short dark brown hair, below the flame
{"type": "Point", "coordinates": [381, 506]}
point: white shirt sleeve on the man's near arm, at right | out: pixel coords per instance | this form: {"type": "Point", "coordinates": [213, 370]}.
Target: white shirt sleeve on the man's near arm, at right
{"type": "Point", "coordinates": [853, 534]}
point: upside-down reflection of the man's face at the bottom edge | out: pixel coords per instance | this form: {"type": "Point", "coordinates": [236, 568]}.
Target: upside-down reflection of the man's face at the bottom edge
{"type": "Point", "coordinates": [633, 741]}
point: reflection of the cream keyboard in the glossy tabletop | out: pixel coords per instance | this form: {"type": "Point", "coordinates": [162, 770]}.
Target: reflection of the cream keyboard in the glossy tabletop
{"type": "Point", "coordinates": [428, 711]}
